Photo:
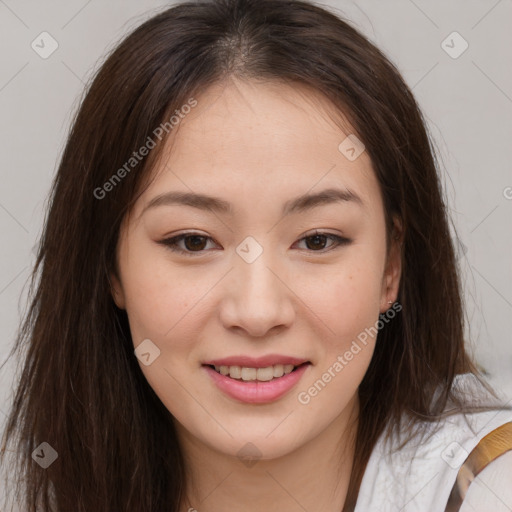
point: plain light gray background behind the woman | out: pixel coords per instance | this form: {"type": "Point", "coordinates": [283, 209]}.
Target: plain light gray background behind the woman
{"type": "Point", "coordinates": [467, 102]}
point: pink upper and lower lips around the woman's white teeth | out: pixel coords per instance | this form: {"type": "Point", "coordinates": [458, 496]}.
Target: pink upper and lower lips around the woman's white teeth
{"type": "Point", "coordinates": [256, 392]}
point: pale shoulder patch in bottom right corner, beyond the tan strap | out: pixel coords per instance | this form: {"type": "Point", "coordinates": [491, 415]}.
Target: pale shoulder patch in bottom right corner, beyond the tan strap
{"type": "Point", "coordinates": [491, 489]}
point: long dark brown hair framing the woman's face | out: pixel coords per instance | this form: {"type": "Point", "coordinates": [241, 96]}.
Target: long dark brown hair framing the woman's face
{"type": "Point", "coordinates": [81, 388]}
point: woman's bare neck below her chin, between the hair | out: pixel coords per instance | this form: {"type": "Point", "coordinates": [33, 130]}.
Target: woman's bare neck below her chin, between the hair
{"type": "Point", "coordinates": [314, 477]}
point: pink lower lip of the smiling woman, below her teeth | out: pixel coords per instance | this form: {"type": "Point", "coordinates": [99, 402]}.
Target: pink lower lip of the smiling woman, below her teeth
{"type": "Point", "coordinates": [256, 392]}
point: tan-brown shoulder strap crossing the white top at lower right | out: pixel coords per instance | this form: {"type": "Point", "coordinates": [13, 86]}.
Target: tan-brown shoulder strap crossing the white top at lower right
{"type": "Point", "coordinates": [493, 445]}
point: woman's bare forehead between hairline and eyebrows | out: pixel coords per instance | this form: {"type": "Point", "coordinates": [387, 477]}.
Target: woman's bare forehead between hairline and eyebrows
{"type": "Point", "coordinates": [260, 141]}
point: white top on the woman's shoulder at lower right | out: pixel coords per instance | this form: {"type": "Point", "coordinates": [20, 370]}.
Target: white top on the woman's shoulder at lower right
{"type": "Point", "coordinates": [420, 476]}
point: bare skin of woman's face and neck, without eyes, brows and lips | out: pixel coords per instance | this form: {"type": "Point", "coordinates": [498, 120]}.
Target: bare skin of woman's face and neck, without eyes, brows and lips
{"type": "Point", "coordinates": [258, 145]}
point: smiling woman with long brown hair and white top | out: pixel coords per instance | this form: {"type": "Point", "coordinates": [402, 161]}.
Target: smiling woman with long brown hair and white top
{"type": "Point", "coordinates": [248, 295]}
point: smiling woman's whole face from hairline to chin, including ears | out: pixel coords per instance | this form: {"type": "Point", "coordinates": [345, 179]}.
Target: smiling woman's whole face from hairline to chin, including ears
{"type": "Point", "coordinates": [253, 279]}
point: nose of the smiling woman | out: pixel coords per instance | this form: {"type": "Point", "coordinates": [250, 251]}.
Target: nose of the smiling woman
{"type": "Point", "coordinates": [257, 298]}
